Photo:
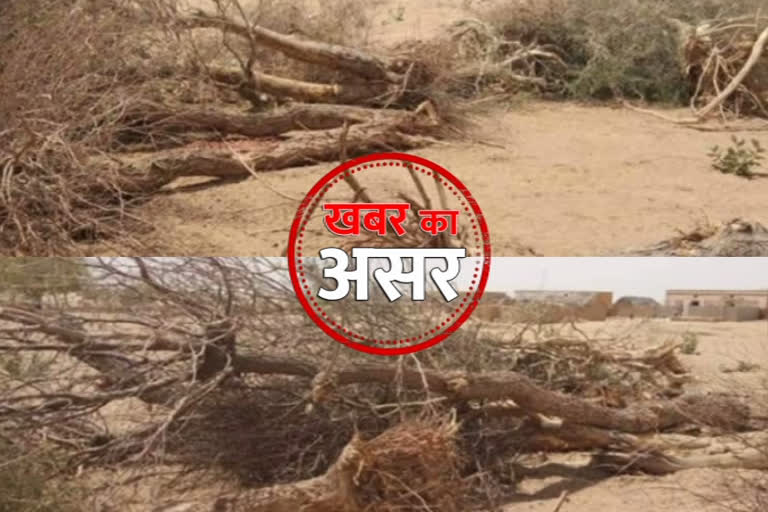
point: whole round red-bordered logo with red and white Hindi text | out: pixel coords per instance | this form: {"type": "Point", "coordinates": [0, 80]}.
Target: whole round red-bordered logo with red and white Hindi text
{"type": "Point", "coordinates": [339, 221]}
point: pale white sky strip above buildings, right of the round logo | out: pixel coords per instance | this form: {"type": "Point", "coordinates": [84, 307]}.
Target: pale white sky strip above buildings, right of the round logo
{"type": "Point", "coordinates": [647, 277]}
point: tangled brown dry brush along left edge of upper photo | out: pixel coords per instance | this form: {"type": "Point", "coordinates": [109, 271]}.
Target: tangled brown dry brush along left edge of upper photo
{"type": "Point", "coordinates": [69, 70]}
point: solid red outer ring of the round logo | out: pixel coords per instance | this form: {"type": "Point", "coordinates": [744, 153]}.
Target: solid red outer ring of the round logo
{"type": "Point", "coordinates": [339, 336]}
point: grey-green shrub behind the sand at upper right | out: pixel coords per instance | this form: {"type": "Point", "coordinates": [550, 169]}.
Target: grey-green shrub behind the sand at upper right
{"type": "Point", "coordinates": [612, 49]}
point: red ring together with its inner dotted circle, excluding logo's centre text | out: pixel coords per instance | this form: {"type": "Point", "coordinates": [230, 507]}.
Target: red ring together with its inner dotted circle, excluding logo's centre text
{"type": "Point", "coordinates": [430, 336]}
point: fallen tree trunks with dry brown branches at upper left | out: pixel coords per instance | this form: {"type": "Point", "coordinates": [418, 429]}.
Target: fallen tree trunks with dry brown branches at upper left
{"type": "Point", "coordinates": [144, 93]}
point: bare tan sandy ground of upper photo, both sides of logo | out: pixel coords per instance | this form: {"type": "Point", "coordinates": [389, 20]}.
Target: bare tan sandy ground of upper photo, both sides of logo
{"type": "Point", "coordinates": [574, 180]}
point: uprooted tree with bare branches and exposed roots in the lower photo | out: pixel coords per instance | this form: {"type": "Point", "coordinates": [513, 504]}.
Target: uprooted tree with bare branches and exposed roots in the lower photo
{"type": "Point", "coordinates": [203, 341]}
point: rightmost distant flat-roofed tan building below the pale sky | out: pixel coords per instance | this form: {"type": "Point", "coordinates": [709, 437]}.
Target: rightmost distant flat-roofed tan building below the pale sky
{"type": "Point", "coordinates": [718, 305]}
